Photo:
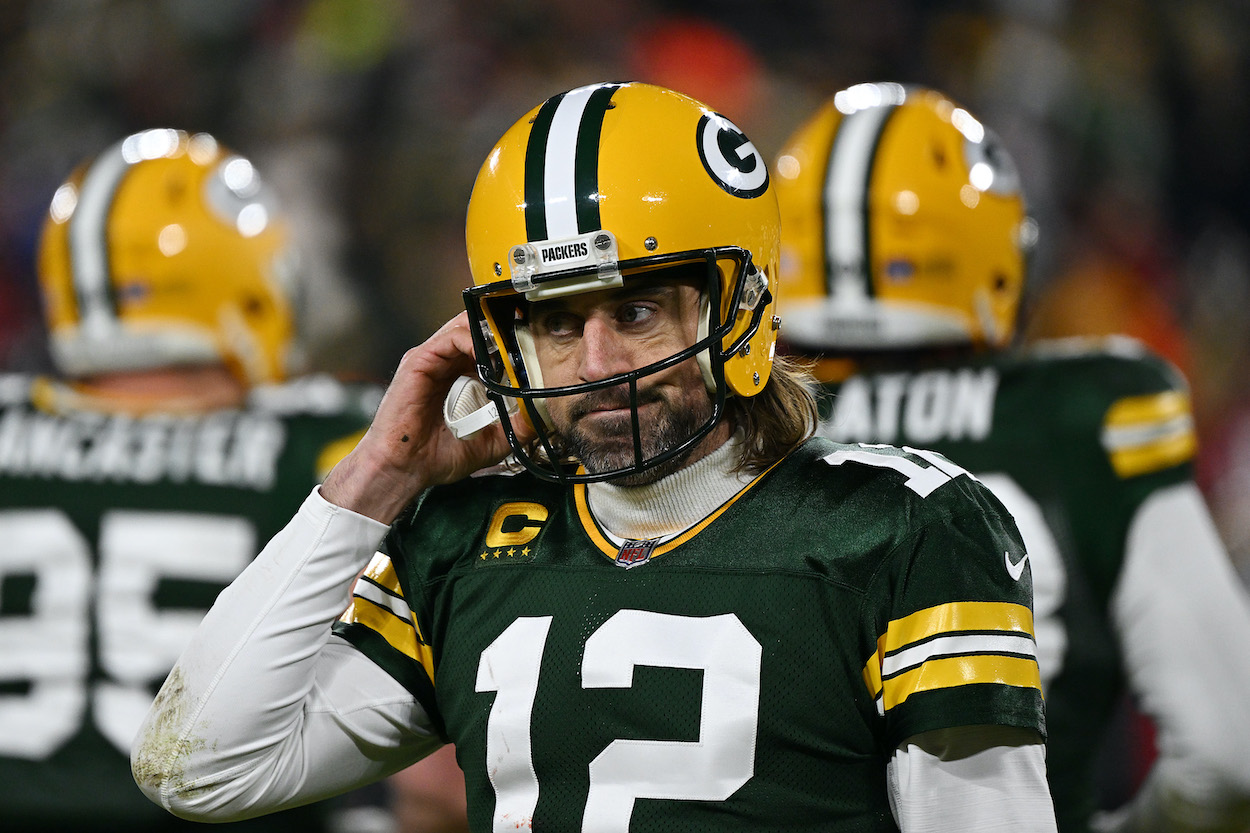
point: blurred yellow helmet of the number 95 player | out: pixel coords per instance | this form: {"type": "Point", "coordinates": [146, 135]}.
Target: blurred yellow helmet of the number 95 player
{"type": "Point", "coordinates": [166, 251]}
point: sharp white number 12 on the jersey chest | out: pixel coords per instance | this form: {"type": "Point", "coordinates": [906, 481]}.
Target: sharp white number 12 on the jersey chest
{"type": "Point", "coordinates": [711, 769]}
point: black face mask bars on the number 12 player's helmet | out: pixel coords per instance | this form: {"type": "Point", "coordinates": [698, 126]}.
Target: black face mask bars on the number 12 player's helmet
{"type": "Point", "coordinates": [508, 362]}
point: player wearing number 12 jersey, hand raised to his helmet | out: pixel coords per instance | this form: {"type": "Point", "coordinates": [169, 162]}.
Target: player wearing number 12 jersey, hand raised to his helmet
{"type": "Point", "coordinates": [676, 611]}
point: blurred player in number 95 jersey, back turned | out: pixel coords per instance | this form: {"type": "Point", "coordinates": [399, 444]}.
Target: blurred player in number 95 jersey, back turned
{"type": "Point", "coordinates": [137, 486]}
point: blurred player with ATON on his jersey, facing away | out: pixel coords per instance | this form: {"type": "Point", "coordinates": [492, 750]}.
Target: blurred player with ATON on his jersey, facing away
{"type": "Point", "coordinates": [903, 270]}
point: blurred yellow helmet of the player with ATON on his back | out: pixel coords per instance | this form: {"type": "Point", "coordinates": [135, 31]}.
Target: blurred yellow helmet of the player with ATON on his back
{"type": "Point", "coordinates": [904, 225]}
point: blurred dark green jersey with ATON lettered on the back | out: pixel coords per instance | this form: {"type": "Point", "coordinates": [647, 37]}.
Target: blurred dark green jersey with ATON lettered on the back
{"type": "Point", "coordinates": [1072, 437]}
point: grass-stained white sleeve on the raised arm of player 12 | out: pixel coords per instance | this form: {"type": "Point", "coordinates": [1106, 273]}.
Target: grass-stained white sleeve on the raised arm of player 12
{"type": "Point", "coordinates": [266, 710]}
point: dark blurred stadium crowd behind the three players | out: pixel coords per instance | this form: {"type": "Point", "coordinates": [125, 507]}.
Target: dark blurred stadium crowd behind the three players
{"type": "Point", "coordinates": [1129, 119]}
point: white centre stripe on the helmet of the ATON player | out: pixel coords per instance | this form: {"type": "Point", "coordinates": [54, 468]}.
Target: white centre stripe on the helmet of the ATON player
{"type": "Point", "coordinates": [847, 181]}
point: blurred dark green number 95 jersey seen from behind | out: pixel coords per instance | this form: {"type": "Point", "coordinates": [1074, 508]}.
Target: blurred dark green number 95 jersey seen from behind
{"type": "Point", "coordinates": [116, 536]}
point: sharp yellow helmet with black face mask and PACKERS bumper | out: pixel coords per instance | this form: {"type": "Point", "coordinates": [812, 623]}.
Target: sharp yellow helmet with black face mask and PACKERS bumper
{"type": "Point", "coordinates": [602, 184]}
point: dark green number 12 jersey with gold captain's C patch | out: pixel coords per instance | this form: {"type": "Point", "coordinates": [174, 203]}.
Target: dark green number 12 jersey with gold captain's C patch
{"type": "Point", "coordinates": [756, 674]}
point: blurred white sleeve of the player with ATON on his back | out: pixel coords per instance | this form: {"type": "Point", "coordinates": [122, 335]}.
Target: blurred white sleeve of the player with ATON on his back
{"type": "Point", "coordinates": [1183, 618]}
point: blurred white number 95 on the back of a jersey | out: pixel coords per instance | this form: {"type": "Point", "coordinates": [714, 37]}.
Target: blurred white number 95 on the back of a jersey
{"type": "Point", "coordinates": [48, 647]}
